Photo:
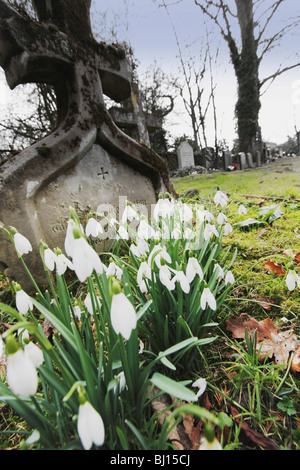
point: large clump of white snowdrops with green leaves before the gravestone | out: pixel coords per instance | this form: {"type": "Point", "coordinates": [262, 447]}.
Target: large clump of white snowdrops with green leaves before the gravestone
{"type": "Point", "coordinates": [90, 386]}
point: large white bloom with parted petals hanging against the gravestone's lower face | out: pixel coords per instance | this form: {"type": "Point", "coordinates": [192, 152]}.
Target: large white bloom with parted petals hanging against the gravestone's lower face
{"type": "Point", "coordinates": [85, 259]}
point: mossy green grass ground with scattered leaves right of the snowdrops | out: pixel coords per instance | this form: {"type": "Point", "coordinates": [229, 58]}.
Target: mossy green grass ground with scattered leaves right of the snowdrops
{"type": "Point", "coordinates": [263, 395]}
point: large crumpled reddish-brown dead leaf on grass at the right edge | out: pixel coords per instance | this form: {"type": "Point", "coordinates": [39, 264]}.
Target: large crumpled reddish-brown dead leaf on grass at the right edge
{"type": "Point", "coordinates": [270, 342]}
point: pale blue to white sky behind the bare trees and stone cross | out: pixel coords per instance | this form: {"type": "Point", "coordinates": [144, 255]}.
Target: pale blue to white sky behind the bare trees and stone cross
{"type": "Point", "coordinates": [149, 28]}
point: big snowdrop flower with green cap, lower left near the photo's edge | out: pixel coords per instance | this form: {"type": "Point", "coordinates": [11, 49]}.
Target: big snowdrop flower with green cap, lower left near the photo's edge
{"type": "Point", "coordinates": [21, 373]}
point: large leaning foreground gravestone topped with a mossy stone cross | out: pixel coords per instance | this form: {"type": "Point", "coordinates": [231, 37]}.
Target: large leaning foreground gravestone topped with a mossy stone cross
{"type": "Point", "coordinates": [86, 161]}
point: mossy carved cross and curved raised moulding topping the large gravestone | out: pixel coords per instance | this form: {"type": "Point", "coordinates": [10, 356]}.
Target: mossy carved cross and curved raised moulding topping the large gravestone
{"type": "Point", "coordinates": [59, 49]}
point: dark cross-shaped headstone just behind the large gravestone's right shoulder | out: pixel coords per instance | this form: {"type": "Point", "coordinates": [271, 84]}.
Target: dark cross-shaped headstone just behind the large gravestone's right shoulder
{"type": "Point", "coordinates": [133, 120]}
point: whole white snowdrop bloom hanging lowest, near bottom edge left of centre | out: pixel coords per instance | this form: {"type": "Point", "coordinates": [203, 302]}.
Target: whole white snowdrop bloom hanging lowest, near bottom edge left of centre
{"type": "Point", "coordinates": [90, 426]}
